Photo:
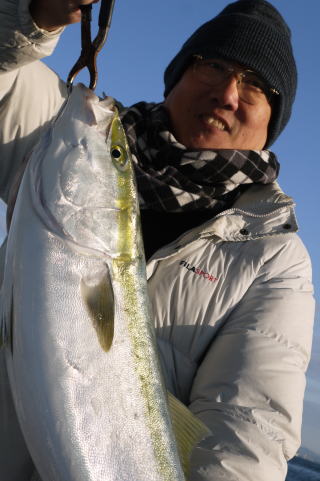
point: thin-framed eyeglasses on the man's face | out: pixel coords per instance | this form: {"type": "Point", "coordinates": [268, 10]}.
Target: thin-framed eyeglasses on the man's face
{"type": "Point", "coordinates": [251, 88]}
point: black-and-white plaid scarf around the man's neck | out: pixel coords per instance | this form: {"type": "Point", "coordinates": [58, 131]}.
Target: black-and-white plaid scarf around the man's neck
{"type": "Point", "coordinates": [172, 178]}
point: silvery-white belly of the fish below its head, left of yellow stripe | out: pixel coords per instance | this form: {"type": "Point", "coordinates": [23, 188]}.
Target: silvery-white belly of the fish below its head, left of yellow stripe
{"type": "Point", "coordinates": [81, 409]}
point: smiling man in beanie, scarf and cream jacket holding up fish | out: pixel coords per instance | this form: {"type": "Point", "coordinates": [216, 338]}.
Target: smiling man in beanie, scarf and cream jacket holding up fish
{"type": "Point", "coordinates": [229, 279]}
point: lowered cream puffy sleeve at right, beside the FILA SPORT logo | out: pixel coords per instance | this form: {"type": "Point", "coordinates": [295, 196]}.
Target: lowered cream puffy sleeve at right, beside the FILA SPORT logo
{"type": "Point", "coordinates": [249, 388]}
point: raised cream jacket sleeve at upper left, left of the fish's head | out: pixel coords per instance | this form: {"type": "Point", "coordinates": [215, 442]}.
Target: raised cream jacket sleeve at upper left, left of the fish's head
{"type": "Point", "coordinates": [30, 93]}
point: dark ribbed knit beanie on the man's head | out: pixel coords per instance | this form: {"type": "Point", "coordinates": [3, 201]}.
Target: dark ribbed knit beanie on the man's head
{"type": "Point", "coordinates": [254, 34]}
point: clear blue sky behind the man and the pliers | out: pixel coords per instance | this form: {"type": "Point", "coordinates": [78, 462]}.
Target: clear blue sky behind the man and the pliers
{"type": "Point", "coordinates": [144, 37]}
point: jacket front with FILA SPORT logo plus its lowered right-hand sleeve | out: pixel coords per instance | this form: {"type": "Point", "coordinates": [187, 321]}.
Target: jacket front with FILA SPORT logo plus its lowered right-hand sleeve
{"type": "Point", "coordinates": [233, 306]}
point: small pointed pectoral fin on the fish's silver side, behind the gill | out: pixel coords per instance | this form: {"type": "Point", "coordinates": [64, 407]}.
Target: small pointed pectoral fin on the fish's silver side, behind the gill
{"type": "Point", "coordinates": [97, 293]}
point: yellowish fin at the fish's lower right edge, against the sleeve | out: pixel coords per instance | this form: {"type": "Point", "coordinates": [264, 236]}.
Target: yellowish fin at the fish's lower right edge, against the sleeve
{"type": "Point", "coordinates": [188, 430]}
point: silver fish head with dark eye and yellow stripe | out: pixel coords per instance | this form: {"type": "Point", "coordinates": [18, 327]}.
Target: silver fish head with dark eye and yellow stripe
{"type": "Point", "coordinates": [87, 192]}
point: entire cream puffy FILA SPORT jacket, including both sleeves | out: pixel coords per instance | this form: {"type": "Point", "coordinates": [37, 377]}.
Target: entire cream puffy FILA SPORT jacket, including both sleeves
{"type": "Point", "coordinates": [232, 298]}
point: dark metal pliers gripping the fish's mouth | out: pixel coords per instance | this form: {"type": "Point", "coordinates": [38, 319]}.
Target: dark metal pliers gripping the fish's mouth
{"type": "Point", "coordinates": [90, 49]}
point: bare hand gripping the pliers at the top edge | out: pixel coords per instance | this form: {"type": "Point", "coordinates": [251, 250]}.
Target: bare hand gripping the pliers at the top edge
{"type": "Point", "coordinates": [53, 14]}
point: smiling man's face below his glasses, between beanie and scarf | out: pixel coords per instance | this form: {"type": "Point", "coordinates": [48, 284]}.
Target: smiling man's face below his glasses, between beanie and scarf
{"type": "Point", "coordinates": [214, 117]}
